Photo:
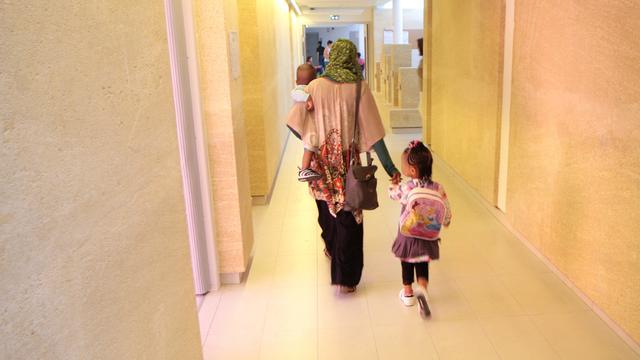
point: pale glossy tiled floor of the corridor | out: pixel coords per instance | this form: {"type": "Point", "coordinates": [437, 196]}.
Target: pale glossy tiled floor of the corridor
{"type": "Point", "coordinates": [491, 297]}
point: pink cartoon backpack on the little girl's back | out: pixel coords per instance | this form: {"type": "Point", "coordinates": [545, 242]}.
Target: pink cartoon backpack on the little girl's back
{"type": "Point", "coordinates": [424, 214]}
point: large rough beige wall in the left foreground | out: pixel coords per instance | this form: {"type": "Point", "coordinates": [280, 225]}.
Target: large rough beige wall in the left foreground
{"type": "Point", "coordinates": [94, 259]}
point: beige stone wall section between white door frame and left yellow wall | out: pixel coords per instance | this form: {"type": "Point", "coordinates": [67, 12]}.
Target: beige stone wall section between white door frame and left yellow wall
{"type": "Point", "coordinates": [223, 115]}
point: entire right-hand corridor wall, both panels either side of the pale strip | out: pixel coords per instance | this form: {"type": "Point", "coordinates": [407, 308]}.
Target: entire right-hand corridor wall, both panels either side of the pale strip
{"type": "Point", "coordinates": [572, 186]}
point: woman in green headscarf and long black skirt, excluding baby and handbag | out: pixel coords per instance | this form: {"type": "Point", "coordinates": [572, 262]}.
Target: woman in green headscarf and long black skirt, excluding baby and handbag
{"type": "Point", "coordinates": [330, 131]}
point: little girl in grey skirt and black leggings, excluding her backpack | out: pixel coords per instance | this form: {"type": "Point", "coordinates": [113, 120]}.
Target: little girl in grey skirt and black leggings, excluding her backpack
{"type": "Point", "coordinates": [415, 254]}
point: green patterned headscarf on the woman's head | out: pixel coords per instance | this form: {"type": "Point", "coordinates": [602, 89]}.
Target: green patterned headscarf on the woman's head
{"type": "Point", "coordinates": [343, 65]}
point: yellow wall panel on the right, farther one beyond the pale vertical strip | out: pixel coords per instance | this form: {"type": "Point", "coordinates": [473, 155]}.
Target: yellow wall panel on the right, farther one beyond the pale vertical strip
{"type": "Point", "coordinates": [466, 70]}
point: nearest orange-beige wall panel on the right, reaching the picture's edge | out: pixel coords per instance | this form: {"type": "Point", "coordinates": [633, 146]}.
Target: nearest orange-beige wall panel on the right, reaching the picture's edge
{"type": "Point", "coordinates": [574, 158]}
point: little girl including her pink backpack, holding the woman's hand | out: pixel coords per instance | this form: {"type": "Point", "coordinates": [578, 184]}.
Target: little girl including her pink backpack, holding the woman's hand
{"type": "Point", "coordinates": [425, 209]}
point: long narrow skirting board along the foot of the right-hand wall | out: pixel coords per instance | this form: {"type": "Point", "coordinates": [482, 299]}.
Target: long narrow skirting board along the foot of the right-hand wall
{"type": "Point", "coordinates": [500, 216]}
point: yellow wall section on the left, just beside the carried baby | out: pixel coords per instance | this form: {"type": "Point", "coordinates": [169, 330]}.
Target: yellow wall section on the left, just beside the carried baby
{"type": "Point", "coordinates": [265, 40]}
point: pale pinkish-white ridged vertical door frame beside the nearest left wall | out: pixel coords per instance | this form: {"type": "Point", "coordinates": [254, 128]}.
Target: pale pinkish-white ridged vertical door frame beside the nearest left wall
{"type": "Point", "coordinates": [192, 144]}
